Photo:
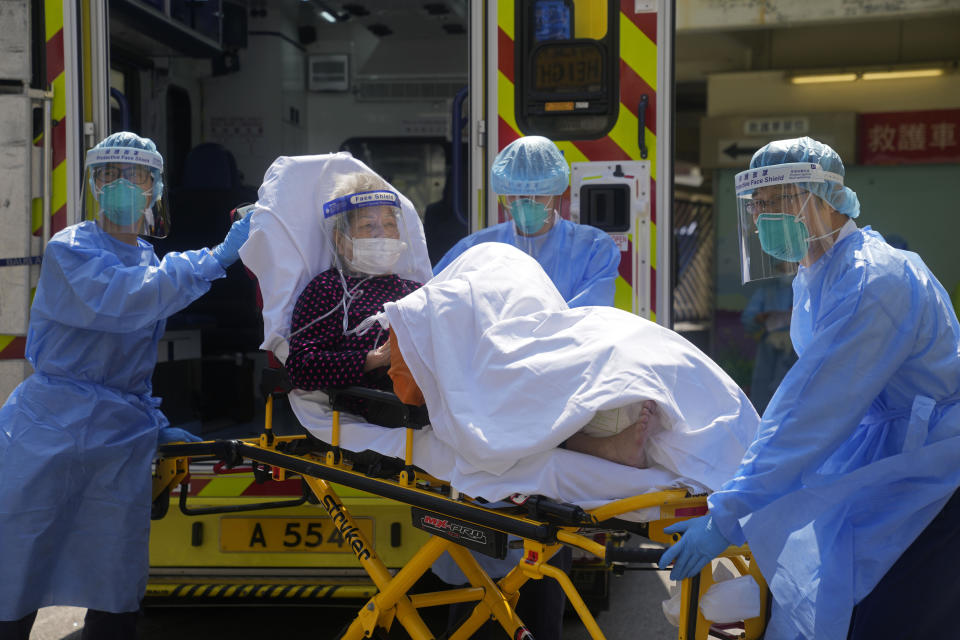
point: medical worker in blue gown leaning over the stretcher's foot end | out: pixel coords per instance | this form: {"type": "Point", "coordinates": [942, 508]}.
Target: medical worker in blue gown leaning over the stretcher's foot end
{"type": "Point", "coordinates": [848, 497]}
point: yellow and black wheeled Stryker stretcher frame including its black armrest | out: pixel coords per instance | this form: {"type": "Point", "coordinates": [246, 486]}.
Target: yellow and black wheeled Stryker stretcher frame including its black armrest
{"type": "Point", "coordinates": [459, 524]}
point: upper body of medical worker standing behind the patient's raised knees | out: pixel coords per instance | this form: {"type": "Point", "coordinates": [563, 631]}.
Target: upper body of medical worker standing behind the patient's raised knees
{"type": "Point", "coordinates": [530, 175]}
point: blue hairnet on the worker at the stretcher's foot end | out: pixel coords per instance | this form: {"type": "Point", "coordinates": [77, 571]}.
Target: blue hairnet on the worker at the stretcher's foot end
{"type": "Point", "coordinates": [805, 149]}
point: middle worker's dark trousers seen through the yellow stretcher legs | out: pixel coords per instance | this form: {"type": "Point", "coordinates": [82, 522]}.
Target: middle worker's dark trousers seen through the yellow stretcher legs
{"type": "Point", "coordinates": [540, 606]}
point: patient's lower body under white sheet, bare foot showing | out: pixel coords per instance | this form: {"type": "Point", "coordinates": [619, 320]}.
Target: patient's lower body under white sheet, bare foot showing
{"type": "Point", "coordinates": [507, 371]}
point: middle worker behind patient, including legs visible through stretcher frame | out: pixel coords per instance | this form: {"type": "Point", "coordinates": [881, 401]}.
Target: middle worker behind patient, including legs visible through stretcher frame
{"type": "Point", "coordinates": [530, 175]}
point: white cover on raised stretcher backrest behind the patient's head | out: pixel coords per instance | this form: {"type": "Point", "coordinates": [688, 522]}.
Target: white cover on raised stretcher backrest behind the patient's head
{"type": "Point", "coordinates": [286, 248]}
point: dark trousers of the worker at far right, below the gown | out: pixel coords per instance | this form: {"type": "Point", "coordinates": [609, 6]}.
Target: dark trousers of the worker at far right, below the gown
{"type": "Point", "coordinates": [920, 594]}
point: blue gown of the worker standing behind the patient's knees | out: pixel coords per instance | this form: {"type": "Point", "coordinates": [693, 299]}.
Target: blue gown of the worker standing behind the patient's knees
{"type": "Point", "coordinates": [582, 261]}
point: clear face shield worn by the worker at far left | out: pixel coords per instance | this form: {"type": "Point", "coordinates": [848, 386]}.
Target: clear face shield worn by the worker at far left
{"type": "Point", "coordinates": [123, 191]}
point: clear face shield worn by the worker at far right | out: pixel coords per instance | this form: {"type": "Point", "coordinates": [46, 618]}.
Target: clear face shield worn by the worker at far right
{"type": "Point", "coordinates": [780, 219]}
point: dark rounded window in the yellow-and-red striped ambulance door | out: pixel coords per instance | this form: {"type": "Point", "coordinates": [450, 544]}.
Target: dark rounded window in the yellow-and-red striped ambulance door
{"type": "Point", "coordinates": [566, 66]}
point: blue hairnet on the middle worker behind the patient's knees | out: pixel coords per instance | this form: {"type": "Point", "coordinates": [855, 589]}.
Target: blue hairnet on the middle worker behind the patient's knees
{"type": "Point", "coordinates": [530, 166]}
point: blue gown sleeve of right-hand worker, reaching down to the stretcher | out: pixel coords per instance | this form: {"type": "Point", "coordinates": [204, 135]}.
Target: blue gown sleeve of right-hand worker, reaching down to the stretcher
{"type": "Point", "coordinates": [858, 342]}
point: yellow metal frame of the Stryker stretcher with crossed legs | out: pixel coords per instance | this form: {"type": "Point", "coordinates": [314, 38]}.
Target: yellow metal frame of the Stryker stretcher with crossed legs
{"type": "Point", "coordinates": [542, 537]}
